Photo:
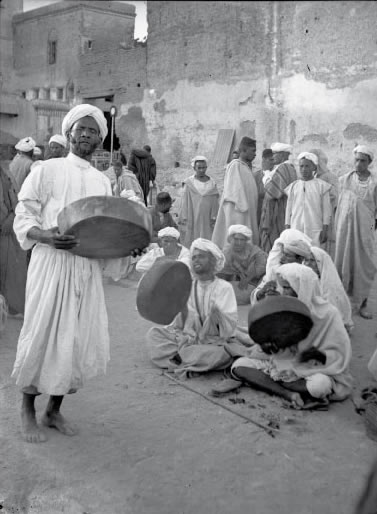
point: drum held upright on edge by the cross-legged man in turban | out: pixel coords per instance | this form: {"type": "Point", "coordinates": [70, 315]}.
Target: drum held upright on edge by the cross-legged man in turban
{"type": "Point", "coordinates": [163, 291]}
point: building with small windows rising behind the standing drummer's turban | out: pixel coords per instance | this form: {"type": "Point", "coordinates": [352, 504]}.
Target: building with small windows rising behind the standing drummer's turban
{"type": "Point", "coordinates": [48, 44]}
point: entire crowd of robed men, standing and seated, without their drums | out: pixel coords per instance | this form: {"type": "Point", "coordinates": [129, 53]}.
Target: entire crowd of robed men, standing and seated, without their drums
{"type": "Point", "coordinates": [272, 232]}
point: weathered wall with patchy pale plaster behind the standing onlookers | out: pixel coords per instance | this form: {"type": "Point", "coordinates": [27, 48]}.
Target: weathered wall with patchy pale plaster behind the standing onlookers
{"type": "Point", "coordinates": [300, 72]}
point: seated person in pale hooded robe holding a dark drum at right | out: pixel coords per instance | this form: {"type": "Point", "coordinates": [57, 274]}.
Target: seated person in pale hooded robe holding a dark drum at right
{"type": "Point", "coordinates": [313, 371]}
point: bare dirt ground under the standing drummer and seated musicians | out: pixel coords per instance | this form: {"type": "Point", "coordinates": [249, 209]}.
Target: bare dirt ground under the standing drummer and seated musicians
{"type": "Point", "coordinates": [147, 445]}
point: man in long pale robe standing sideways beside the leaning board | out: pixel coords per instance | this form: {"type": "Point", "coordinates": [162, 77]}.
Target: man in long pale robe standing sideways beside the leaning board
{"type": "Point", "coordinates": [239, 200]}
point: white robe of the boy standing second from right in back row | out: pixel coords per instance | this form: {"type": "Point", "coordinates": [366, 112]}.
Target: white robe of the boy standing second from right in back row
{"type": "Point", "coordinates": [308, 207]}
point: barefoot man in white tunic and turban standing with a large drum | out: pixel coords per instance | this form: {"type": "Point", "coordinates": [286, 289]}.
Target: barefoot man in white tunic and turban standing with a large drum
{"type": "Point", "coordinates": [64, 339]}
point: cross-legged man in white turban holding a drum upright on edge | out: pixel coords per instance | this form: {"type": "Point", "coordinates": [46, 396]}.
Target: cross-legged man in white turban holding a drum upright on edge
{"type": "Point", "coordinates": [195, 340]}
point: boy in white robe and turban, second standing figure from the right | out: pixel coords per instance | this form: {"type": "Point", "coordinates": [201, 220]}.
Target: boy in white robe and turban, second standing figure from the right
{"type": "Point", "coordinates": [308, 206]}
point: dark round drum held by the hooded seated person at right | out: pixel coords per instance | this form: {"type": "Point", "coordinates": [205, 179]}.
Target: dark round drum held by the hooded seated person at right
{"type": "Point", "coordinates": [282, 320]}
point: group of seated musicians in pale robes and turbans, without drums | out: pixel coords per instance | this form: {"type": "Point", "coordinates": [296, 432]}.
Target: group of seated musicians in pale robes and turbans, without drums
{"type": "Point", "coordinates": [205, 335]}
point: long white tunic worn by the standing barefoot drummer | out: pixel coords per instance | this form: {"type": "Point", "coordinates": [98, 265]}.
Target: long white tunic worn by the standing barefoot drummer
{"type": "Point", "coordinates": [64, 339]}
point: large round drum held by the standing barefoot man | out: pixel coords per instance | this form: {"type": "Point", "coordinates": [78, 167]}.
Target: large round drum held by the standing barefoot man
{"type": "Point", "coordinates": [107, 227]}
